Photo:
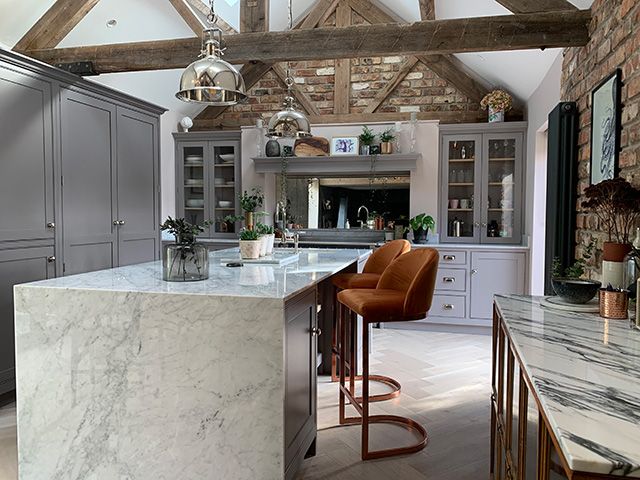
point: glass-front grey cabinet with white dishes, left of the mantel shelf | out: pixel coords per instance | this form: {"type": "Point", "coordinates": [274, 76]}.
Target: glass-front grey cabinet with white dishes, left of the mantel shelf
{"type": "Point", "coordinates": [208, 180]}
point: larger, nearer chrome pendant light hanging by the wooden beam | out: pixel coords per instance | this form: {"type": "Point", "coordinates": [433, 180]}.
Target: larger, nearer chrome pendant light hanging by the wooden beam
{"type": "Point", "coordinates": [211, 80]}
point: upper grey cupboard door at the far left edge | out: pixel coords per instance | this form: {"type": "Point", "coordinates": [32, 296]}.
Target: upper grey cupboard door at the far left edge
{"type": "Point", "coordinates": [26, 163]}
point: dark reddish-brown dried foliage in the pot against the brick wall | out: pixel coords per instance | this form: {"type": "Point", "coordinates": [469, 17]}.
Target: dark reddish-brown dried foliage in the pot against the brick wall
{"type": "Point", "coordinates": [616, 203]}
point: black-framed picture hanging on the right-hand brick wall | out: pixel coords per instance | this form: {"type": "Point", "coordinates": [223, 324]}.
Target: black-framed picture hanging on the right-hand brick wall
{"type": "Point", "coordinates": [605, 128]}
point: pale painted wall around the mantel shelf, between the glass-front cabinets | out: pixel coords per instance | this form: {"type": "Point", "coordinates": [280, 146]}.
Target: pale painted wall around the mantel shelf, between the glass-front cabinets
{"type": "Point", "coordinates": [424, 181]}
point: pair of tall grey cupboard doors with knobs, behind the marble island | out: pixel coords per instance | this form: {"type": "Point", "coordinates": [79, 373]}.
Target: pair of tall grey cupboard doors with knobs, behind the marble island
{"type": "Point", "coordinates": [110, 184]}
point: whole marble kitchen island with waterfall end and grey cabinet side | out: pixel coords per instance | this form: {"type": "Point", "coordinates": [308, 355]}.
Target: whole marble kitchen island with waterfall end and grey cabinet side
{"type": "Point", "coordinates": [121, 375]}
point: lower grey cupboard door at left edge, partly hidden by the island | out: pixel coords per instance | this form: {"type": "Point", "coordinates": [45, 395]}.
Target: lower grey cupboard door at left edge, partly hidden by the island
{"type": "Point", "coordinates": [18, 265]}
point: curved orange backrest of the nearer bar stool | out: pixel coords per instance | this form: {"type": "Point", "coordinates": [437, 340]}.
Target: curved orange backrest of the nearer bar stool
{"type": "Point", "coordinates": [413, 273]}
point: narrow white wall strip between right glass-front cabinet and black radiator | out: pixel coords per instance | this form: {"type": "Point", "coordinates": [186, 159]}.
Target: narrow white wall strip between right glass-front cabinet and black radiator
{"type": "Point", "coordinates": [543, 100]}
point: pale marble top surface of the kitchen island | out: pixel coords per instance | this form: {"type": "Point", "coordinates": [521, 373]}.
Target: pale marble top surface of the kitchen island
{"type": "Point", "coordinates": [256, 281]}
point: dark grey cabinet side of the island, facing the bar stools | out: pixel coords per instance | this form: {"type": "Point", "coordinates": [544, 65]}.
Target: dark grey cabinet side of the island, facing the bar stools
{"type": "Point", "coordinates": [300, 379]}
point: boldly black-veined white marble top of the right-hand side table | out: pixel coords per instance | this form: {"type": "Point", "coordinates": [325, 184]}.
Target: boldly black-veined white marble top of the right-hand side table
{"type": "Point", "coordinates": [586, 374]}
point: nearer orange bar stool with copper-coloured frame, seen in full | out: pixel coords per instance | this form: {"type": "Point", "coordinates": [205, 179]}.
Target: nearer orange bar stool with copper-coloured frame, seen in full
{"type": "Point", "coordinates": [404, 292]}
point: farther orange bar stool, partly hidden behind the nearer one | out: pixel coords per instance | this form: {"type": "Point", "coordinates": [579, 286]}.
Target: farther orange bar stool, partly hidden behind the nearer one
{"type": "Point", "coordinates": [379, 260]}
